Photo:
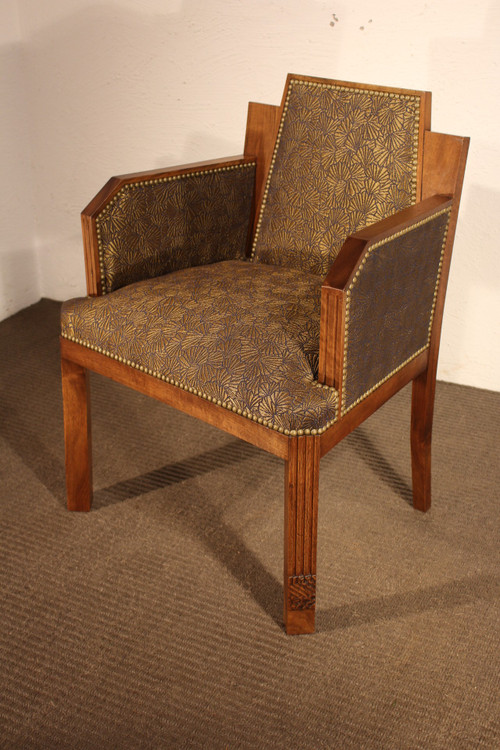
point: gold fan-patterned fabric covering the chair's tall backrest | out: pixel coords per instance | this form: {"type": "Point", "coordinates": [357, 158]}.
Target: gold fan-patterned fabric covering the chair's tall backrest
{"type": "Point", "coordinates": [345, 158]}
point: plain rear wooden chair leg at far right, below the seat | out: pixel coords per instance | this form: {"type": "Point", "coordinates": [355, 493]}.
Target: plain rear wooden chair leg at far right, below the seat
{"type": "Point", "coordinates": [422, 412]}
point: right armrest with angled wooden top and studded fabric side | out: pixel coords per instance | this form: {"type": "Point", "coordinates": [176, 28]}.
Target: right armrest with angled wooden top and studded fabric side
{"type": "Point", "coordinates": [378, 299]}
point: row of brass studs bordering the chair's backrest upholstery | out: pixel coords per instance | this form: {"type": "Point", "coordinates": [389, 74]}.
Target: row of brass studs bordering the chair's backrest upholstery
{"type": "Point", "coordinates": [312, 84]}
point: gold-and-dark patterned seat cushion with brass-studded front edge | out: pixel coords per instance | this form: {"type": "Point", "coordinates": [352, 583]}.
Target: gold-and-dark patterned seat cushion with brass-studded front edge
{"type": "Point", "coordinates": [241, 334]}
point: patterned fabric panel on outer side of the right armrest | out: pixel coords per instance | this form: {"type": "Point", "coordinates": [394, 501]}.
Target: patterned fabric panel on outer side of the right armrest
{"type": "Point", "coordinates": [390, 306]}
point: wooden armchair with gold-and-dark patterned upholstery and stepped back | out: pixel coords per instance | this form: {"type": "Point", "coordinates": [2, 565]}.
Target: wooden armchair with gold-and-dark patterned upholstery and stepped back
{"type": "Point", "coordinates": [283, 295]}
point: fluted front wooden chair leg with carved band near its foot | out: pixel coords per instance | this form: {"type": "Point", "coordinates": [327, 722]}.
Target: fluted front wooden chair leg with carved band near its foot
{"type": "Point", "coordinates": [301, 524]}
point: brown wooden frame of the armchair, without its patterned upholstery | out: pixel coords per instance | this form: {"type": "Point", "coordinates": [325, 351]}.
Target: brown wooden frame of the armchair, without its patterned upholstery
{"type": "Point", "coordinates": [440, 175]}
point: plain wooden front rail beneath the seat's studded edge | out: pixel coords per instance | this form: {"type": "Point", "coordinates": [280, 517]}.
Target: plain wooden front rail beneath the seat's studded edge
{"type": "Point", "coordinates": [252, 432]}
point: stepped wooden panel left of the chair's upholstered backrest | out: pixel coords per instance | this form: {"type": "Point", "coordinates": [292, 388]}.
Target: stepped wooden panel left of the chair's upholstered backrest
{"type": "Point", "coordinates": [262, 129]}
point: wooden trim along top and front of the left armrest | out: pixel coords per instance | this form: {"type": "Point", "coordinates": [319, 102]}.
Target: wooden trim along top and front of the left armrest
{"type": "Point", "coordinates": [112, 187]}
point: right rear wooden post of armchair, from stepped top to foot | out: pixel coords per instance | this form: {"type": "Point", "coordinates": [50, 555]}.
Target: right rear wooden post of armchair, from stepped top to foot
{"type": "Point", "coordinates": [444, 168]}
